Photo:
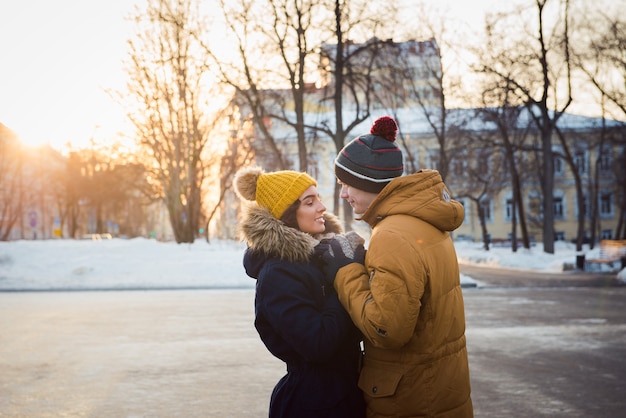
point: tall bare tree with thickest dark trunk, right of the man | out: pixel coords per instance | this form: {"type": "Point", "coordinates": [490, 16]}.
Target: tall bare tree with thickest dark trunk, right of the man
{"type": "Point", "coordinates": [544, 53]}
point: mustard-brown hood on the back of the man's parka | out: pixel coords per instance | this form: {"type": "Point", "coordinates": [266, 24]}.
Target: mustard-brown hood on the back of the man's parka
{"type": "Point", "coordinates": [422, 195]}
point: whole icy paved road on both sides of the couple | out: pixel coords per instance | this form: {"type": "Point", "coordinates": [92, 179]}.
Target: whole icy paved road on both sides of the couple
{"type": "Point", "coordinates": [552, 347]}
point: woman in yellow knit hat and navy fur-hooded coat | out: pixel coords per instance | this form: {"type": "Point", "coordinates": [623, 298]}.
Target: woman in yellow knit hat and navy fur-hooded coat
{"type": "Point", "coordinates": [297, 313]}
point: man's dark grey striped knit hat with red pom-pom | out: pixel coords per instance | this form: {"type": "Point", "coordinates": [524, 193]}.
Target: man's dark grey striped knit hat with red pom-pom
{"type": "Point", "coordinates": [371, 161]}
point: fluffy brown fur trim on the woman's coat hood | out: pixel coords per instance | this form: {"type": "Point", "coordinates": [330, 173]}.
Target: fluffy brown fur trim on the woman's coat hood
{"type": "Point", "coordinates": [263, 233]}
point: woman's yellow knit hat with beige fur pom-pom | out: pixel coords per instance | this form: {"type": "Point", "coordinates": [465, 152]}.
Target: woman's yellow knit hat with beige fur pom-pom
{"type": "Point", "coordinates": [275, 191]}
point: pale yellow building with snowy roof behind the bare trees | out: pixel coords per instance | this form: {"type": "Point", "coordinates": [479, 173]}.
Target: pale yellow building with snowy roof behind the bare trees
{"type": "Point", "coordinates": [406, 84]}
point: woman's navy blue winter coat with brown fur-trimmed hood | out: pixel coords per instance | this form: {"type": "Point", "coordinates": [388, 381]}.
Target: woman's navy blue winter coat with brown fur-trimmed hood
{"type": "Point", "coordinates": [301, 321]}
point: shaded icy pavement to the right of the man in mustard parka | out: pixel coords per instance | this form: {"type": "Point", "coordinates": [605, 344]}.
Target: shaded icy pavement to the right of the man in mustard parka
{"type": "Point", "coordinates": [546, 344]}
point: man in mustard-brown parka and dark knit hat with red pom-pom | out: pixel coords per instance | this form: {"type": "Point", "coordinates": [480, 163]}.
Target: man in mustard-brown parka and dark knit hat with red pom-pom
{"type": "Point", "coordinates": [407, 298]}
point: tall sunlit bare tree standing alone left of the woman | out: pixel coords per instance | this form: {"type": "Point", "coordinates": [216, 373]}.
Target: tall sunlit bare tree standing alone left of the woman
{"type": "Point", "coordinates": [168, 79]}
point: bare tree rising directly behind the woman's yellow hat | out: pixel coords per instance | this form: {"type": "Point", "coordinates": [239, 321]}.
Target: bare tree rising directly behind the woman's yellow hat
{"type": "Point", "coordinates": [270, 69]}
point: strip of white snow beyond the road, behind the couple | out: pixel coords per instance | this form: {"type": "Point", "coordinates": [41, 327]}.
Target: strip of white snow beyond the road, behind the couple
{"type": "Point", "coordinates": [148, 264]}
